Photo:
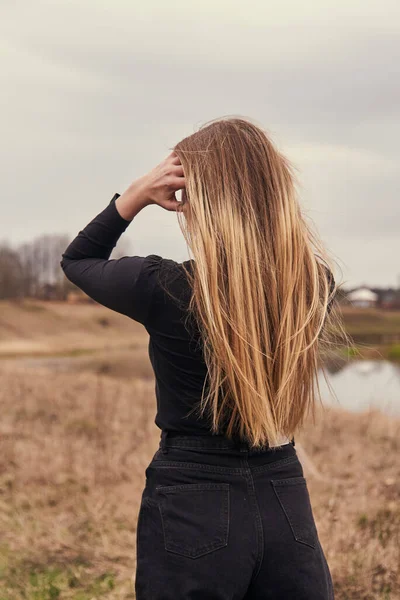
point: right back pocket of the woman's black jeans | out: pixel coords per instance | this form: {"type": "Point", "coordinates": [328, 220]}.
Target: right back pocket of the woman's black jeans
{"type": "Point", "coordinates": [295, 501]}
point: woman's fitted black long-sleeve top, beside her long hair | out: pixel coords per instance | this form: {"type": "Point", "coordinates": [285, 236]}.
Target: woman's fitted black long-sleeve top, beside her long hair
{"type": "Point", "coordinates": [140, 287]}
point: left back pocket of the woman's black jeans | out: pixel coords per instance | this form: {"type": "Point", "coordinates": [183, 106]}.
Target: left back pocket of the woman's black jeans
{"type": "Point", "coordinates": [195, 517]}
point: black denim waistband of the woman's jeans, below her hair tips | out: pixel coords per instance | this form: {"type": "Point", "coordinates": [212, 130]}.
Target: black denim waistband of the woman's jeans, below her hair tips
{"type": "Point", "coordinates": [171, 439]}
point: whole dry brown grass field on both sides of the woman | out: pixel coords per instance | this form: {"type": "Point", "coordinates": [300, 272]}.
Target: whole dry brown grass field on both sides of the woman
{"type": "Point", "coordinates": [74, 445]}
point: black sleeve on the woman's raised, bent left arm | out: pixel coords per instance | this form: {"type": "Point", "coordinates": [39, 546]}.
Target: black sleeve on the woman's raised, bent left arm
{"type": "Point", "coordinates": [124, 285]}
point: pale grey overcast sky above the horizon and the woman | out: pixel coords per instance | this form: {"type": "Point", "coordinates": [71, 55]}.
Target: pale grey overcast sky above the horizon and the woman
{"type": "Point", "coordinates": [94, 94]}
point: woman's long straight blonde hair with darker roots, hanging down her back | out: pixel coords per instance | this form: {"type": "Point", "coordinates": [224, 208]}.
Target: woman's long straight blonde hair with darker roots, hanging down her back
{"type": "Point", "coordinates": [260, 292]}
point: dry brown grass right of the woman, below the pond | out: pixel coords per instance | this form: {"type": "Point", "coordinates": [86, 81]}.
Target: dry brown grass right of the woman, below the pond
{"type": "Point", "coordinates": [355, 490]}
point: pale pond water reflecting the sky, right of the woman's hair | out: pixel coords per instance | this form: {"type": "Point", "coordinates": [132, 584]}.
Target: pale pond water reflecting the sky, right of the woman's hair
{"type": "Point", "coordinates": [363, 384]}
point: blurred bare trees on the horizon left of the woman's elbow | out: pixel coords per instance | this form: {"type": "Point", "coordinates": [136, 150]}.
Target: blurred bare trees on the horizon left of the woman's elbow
{"type": "Point", "coordinates": [32, 269]}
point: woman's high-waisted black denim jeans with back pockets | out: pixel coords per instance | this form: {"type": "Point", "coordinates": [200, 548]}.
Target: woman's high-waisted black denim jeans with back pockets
{"type": "Point", "coordinates": [218, 521]}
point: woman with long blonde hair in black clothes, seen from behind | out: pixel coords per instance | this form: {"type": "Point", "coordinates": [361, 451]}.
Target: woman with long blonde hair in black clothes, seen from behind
{"type": "Point", "coordinates": [235, 339]}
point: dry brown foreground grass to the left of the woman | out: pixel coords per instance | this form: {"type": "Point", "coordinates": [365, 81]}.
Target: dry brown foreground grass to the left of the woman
{"type": "Point", "coordinates": [72, 456]}
